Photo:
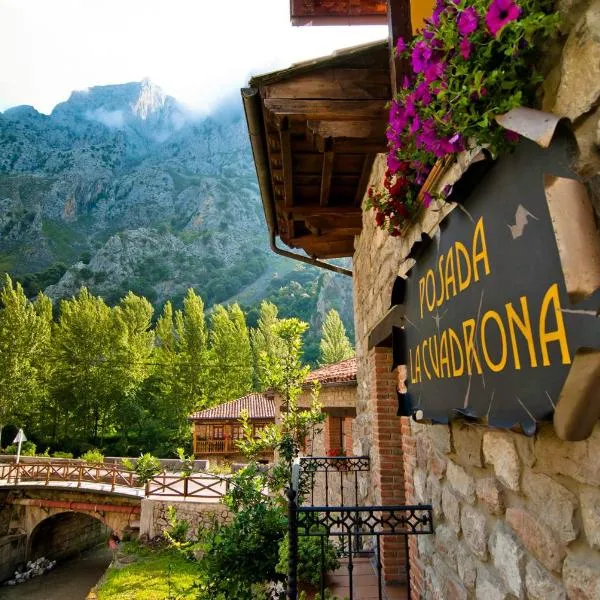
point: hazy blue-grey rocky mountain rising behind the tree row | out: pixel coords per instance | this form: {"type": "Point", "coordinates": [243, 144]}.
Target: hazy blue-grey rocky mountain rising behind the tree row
{"type": "Point", "coordinates": [123, 187]}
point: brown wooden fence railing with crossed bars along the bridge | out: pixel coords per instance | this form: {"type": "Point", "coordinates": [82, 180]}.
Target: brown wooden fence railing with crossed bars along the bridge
{"type": "Point", "coordinates": [204, 486]}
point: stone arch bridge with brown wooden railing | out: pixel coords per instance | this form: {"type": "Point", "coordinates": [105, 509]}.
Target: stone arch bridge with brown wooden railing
{"type": "Point", "coordinates": [56, 509]}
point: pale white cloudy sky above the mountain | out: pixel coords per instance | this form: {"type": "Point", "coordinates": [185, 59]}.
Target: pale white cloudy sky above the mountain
{"type": "Point", "coordinates": [199, 51]}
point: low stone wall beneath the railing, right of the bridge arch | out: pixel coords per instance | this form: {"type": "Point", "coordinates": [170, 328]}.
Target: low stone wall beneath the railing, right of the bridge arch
{"type": "Point", "coordinates": [154, 516]}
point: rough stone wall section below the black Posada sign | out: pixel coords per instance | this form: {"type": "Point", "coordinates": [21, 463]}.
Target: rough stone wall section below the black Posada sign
{"type": "Point", "coordinates": [515, 517]}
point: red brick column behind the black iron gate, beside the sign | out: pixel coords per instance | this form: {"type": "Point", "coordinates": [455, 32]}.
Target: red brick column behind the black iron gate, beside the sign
{"type": "Point", "coordinates": [386, 455]}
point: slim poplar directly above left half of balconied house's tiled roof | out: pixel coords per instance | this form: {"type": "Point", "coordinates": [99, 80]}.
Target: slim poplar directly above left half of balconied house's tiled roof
{"type": "Point", "coordinates": [230, 355]}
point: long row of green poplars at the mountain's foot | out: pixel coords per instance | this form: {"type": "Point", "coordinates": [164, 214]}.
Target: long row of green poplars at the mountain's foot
{"type": "Point", "coordinates": [107, 377]}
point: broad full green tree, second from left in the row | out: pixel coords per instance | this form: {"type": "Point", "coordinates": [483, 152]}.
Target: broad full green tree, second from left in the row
{"type": "Point", "coordinates": [100, 357]}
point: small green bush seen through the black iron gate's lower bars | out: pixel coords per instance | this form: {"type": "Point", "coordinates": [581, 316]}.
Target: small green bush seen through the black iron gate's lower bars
{"type": "Point", "coordinates": [309, 558]}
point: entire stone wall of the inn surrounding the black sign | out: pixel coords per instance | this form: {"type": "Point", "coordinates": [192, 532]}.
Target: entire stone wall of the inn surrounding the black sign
{"type": "Point", "coordinates": [515, 517]}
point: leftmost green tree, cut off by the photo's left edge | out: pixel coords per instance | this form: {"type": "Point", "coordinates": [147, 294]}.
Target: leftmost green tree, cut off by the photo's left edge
{"type": "Point", "coordinates": [24, 341]}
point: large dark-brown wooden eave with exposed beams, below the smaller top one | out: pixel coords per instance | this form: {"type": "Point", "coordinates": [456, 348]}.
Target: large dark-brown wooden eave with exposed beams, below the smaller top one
{"type": "Point", "coordinates": [321, 123]}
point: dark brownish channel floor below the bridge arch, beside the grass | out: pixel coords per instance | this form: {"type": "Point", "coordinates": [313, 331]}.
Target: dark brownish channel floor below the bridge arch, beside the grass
{"type": "Point", "coordinates": [71, 580]}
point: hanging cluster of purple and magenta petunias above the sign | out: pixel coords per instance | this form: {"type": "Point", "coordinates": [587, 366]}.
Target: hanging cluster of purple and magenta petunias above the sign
{"type": "Point", "coordinates": [473, 60]}
